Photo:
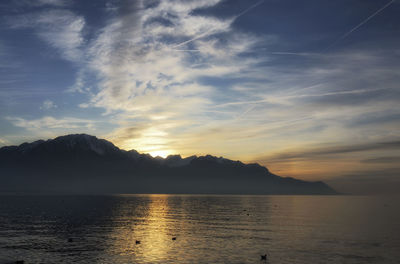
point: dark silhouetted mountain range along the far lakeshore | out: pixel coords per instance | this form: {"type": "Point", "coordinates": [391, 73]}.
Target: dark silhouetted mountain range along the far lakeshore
{"type": "Point", "coordinates": [85, 164]}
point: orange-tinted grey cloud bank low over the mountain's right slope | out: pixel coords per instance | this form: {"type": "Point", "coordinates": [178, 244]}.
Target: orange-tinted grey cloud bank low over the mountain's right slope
{"type": "Point", "coordinates": [334, 162]}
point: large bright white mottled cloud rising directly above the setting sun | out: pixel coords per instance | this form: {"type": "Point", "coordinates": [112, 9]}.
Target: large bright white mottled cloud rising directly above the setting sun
{"type": "Point", "coordinates": [147, 71]}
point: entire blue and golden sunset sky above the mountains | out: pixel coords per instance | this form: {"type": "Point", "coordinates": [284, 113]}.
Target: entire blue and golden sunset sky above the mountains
{"type": "Point", "coordinates": [310, 89]}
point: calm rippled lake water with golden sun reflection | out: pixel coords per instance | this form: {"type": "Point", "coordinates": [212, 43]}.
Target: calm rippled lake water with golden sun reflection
{"type": "Point", "coordinates": [208, 229]}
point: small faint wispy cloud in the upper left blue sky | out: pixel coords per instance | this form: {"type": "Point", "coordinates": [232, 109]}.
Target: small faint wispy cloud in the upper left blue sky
{"type": "Point", "coordinates": [60, 28]}
